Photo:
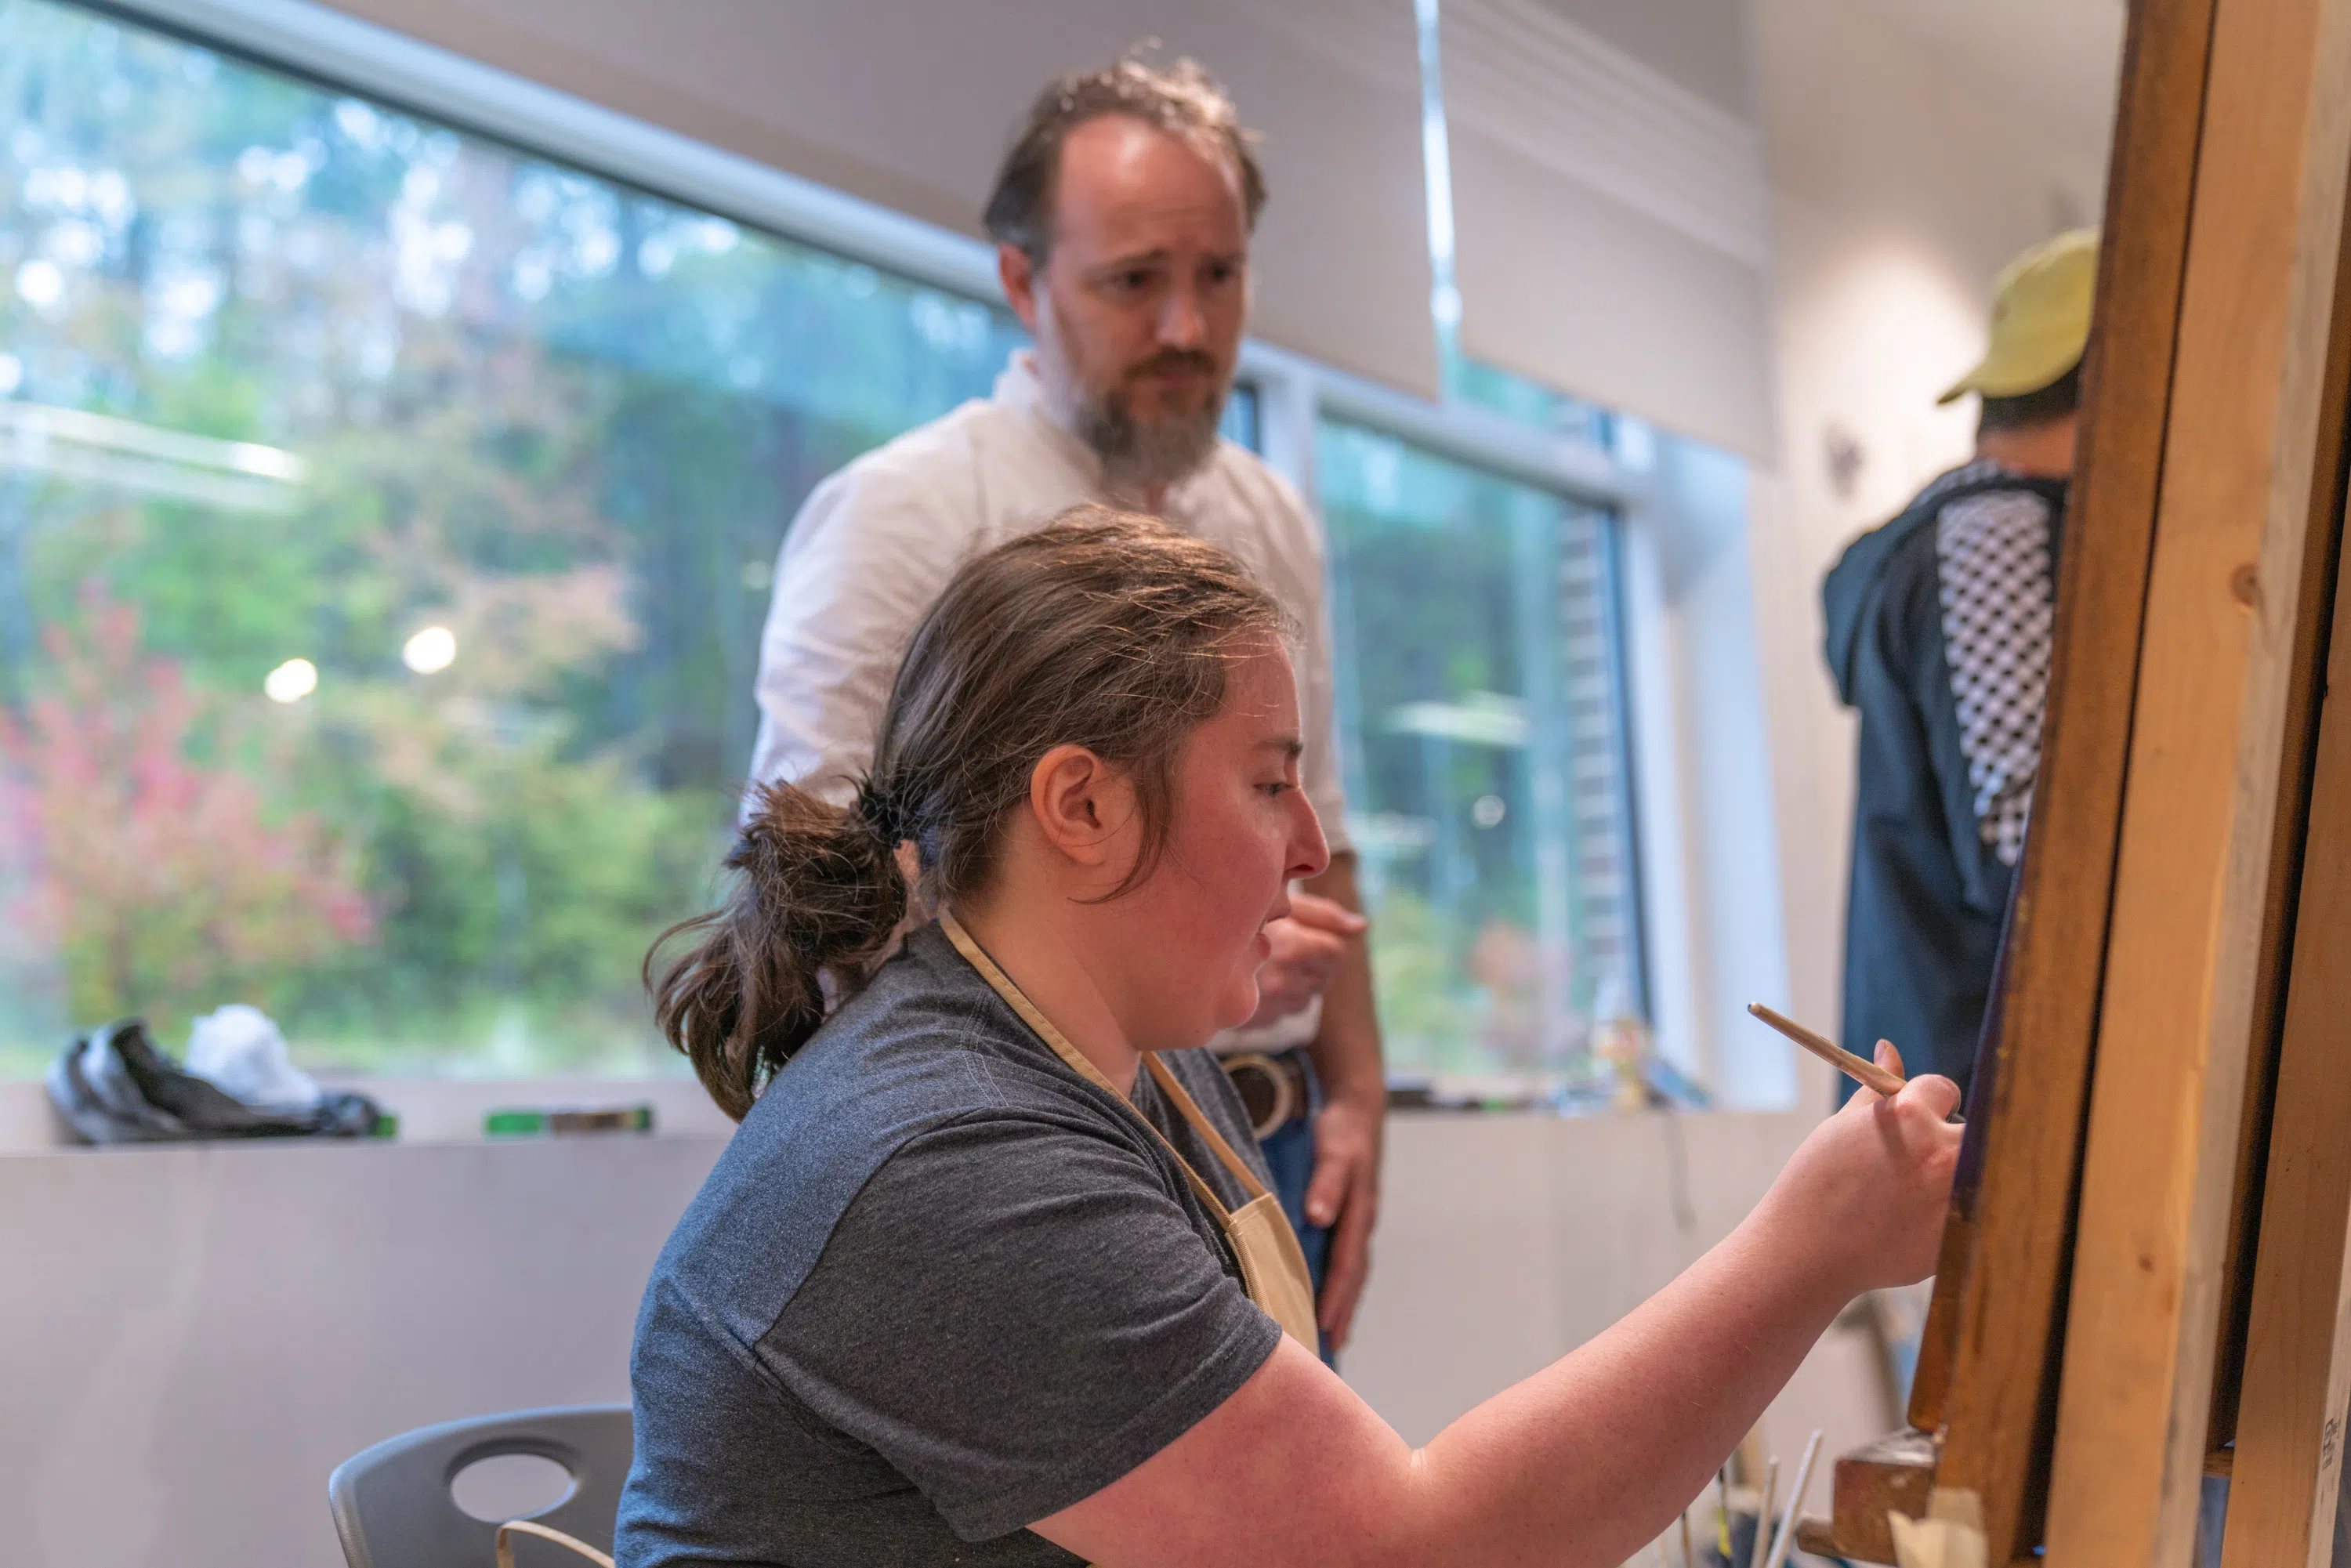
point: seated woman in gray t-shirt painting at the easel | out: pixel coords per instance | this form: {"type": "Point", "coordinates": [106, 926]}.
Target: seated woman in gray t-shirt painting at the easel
{"type": "Point", "coordinates": [989, 1275]}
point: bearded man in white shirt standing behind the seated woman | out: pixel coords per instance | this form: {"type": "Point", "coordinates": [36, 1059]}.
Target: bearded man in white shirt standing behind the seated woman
{"type": "Point", "coordinates": [1123, 222]}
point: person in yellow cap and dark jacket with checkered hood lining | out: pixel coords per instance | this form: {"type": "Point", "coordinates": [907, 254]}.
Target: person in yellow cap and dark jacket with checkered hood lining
{"type": "Point", "coordinates": [1941, 641]}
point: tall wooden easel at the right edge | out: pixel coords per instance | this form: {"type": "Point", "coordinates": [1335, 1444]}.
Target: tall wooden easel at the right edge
{"type": "Point", "coordinates": [2119, 1311]}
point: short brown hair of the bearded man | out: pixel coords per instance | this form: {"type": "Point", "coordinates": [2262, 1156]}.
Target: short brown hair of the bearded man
{"type": "Point", "coordinates": [1181, 100]}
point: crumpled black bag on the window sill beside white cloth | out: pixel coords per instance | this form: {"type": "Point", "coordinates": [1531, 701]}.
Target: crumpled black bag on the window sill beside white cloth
{"type": "Point", "coordinates": [116, 1087]}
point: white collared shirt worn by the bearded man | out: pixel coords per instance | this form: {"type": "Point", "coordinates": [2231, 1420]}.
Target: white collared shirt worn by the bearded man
{"type": "Point", "coordinates": [878, 542]}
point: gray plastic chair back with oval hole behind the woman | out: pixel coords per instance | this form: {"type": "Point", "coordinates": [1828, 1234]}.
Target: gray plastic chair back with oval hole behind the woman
{"type": "Point", "coordinates": [394, 1506]}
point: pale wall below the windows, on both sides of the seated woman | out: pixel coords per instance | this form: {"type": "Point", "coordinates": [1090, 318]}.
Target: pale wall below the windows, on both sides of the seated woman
{"type": "Point", "coordinates": [194, 1339]}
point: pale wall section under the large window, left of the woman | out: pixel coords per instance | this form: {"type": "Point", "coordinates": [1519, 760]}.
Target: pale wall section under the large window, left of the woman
{"type": "Point", "coordinates": [194, 1339]}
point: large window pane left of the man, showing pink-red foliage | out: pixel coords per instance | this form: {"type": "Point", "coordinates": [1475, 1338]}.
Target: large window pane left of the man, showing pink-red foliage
{"type": "Point", "coordinates": [387, 523]}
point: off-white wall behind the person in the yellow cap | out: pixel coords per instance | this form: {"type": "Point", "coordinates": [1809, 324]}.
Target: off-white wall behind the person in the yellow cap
{"type": "Point", "coordinates": [1915, 152]}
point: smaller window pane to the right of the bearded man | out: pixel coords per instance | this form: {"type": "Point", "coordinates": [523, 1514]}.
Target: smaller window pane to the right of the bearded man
{"type": "Point", "coordinates": [1480, 711]}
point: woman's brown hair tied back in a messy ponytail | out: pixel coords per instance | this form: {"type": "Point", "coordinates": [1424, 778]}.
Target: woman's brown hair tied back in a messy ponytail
{"type": "Point", "coordinates": [1104, 631]}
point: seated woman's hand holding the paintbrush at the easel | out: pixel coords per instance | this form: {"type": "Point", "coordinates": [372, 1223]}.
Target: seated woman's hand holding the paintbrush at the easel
{"type": "Point", "coordinates": [1866, 1195]}
